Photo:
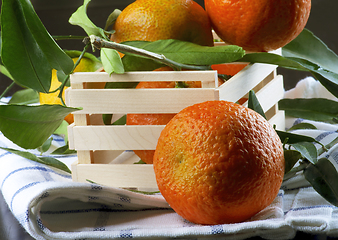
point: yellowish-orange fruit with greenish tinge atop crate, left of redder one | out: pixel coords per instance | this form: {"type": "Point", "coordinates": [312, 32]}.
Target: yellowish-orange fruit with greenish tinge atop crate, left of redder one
{"type": "Point", "coordinates": [151, 20]}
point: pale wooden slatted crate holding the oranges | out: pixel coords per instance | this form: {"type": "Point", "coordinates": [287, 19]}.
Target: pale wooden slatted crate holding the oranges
{"type": "Point", "coordinates": [104, 154]}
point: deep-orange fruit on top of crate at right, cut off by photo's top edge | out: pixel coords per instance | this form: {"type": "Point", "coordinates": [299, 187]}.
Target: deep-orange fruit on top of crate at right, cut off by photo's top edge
{"type": "Point", "coordinates": [261, 25]}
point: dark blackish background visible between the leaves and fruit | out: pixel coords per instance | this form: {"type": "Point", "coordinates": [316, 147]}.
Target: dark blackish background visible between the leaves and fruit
{"type": "Point", "coordinates": [55, 14]}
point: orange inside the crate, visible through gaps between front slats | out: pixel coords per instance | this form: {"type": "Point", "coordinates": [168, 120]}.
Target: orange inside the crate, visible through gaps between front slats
{"type": "Point", "coordinates": [154, 119]}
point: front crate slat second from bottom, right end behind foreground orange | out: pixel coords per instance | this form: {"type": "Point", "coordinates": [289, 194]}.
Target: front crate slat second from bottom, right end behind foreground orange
{"type": "Point", "coordinates": [115, 137]}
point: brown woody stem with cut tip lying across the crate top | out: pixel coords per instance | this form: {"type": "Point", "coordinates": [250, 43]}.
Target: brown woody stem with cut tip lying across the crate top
{"type": "Point", "coordinates": [99, 43]}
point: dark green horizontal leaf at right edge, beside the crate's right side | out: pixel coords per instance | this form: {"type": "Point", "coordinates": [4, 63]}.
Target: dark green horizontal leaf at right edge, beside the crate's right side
{"type": "Point", "coordinates": [317, 109]}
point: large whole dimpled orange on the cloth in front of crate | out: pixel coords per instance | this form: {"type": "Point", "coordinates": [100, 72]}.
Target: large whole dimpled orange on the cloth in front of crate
{"type": "Point", "coordinates": [218, 162]}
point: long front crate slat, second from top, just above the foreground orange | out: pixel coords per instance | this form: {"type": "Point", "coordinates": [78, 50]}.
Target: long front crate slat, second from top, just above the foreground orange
{"type": "Point", "coordinates": [137, 100]}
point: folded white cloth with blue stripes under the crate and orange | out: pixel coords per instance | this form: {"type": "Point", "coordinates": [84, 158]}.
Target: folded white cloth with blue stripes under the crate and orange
{"type": "Point", "coordinates": [50, 206]}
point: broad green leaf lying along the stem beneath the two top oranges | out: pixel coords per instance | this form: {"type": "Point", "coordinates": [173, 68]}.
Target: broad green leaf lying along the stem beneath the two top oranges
{"type": "Point", "coordinates": [181, 52]}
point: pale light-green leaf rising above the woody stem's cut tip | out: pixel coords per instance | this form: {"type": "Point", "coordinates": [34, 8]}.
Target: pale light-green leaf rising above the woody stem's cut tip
{"type": "Point", "coordinates": [80, 18]}
